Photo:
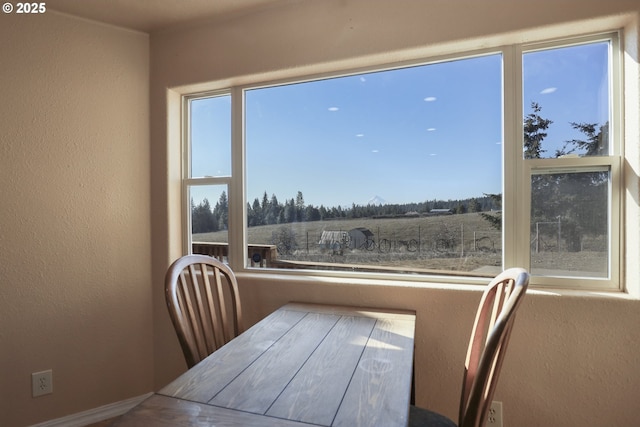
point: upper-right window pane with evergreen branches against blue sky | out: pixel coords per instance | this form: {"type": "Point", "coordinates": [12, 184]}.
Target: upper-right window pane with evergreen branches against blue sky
{"type": "Point", "coordinates": [566, 101]}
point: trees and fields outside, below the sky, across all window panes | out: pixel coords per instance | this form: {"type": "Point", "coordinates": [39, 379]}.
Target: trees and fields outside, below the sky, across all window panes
{"type": "Point", "coordinates": [568, 229]}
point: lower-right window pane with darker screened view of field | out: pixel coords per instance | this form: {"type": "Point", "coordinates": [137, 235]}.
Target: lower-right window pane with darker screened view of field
{"type": "Point", "coordinates": [569, 224]}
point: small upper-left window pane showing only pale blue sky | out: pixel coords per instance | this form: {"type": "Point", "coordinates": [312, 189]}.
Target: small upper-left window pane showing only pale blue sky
{"type": "Point", "coordinates": [211, 136]}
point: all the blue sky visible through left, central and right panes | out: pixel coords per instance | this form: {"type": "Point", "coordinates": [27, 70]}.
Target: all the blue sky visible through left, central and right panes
{"type": "Point", "coordinates": [410, 135]}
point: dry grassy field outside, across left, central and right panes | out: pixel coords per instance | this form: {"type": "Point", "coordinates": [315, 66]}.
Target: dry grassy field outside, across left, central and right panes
{"type": "Point", "coordinates": [464, 242]}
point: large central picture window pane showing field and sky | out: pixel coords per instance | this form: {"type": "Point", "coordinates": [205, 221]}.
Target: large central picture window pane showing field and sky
{"type": "Point", "coordinates": [380, 171]}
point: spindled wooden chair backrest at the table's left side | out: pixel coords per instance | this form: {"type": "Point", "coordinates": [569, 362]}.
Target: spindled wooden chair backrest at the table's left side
{"type": "Point", "coordinates": [204, 305]}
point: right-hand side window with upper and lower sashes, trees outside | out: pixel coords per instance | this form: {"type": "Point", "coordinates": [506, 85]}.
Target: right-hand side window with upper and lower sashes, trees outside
{"type": "Point", "coordinates": [570, 155]}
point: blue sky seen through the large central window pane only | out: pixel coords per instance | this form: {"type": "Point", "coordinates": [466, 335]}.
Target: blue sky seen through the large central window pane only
{"type": "Point", "coordinates": [392, 134]}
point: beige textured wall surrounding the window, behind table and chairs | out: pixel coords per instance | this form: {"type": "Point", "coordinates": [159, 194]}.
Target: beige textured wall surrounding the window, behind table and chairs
{"type": "Point", "coordinates": [573, 358]}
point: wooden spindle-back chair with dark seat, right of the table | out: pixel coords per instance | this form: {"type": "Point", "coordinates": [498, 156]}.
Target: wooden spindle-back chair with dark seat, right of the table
{"type": "Point", "coordinates": [486, 351]}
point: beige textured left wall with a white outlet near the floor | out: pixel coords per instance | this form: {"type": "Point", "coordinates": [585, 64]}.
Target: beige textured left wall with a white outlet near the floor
{"type": "Point", "coordinates": [75, 261]}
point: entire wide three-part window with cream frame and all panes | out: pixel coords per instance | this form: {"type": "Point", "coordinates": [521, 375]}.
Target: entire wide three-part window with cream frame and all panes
{"type": "Point", "coordinates": [418, 170]}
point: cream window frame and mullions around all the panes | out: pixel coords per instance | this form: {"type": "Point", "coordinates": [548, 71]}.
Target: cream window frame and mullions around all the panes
{"type": "Point", "coordinates": [517, 171]}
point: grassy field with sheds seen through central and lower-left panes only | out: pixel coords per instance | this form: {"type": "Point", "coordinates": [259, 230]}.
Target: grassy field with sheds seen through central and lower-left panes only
{"type": "Point", "coordinates": [460, 242]}
